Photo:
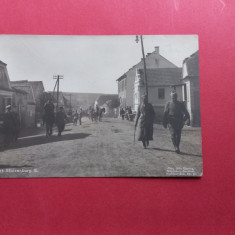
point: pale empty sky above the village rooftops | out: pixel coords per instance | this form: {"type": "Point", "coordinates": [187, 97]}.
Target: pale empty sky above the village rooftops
{"type": "Point", "coordinates": [89, 64]}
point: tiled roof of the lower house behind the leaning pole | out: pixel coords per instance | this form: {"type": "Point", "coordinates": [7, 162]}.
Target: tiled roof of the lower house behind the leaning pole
{"type": "Point", "coordinates": [162, 76]}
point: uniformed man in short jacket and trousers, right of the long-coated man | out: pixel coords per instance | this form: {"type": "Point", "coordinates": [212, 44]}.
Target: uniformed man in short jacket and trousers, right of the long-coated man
{"type": "Point", "coordinates": [175, 115]}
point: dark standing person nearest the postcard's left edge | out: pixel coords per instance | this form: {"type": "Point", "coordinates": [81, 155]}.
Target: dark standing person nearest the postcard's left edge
{"type": "Point", "coordinates": [11, 126]}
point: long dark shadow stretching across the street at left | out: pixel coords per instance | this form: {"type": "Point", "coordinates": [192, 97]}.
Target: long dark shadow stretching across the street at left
{"type": "Point", "coordinates": [42, 139]}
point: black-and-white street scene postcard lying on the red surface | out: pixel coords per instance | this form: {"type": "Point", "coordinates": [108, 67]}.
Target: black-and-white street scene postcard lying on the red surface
{"type": "Point", "coordinates": [100, 106]}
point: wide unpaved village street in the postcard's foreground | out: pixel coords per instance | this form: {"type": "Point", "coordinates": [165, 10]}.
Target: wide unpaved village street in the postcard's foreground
{"type": "Point", "coordinates": [101, 149]}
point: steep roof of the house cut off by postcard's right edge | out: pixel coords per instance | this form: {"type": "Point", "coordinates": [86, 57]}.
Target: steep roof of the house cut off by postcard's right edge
{"type": "Point", "coordinates": [192, 64]}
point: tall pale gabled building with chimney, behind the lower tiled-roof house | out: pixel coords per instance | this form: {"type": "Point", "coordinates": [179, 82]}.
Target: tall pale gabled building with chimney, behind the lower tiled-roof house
{"type": "Point", "coordinates": [127, 80]}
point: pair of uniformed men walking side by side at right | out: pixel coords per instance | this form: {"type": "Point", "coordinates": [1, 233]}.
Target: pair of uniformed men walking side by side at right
{"type": "Point", "coordinates": [174, 117]}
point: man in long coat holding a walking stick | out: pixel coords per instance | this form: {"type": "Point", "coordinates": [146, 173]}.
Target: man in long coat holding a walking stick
{"type": "Point", "coordinates": [146, 115]}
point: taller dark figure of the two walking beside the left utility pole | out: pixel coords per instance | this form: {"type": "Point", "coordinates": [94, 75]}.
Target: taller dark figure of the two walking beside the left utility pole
{"type": "Point", "coordinates": [49, 117]}
